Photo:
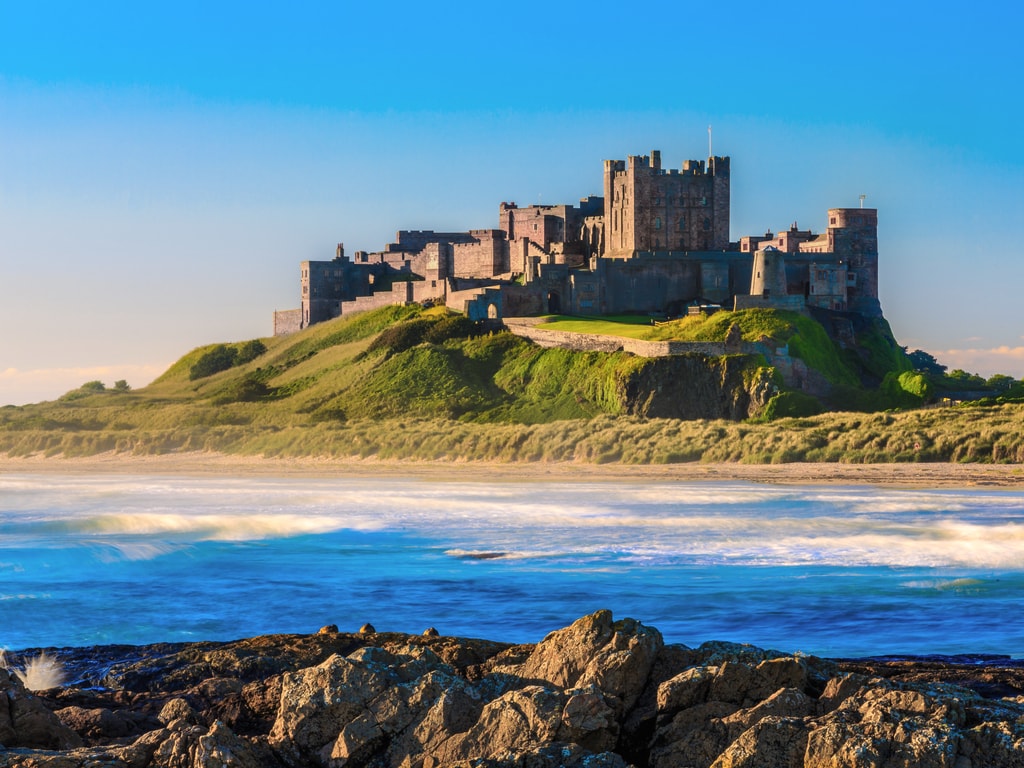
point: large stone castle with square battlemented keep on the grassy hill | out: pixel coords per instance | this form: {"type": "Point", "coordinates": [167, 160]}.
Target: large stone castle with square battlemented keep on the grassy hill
{"type": "Point", "coordinates": [658, 242]}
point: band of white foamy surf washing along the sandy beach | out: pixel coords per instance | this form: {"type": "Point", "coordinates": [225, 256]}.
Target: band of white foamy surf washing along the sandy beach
{"type": "Point", "coordinates": [143, 519]}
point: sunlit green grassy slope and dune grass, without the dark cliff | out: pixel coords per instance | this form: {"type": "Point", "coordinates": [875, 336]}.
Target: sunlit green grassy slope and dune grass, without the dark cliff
{"type": "Point", "coordinates": [492, 398]}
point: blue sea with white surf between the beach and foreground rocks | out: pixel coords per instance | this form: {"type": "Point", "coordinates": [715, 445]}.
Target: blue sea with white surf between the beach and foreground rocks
{"type": "Point", "coordinates": [831, 571]}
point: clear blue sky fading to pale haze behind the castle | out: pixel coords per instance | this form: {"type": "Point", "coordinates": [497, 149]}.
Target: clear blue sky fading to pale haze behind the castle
{"type": "Point", "coordinates": [165, 167]}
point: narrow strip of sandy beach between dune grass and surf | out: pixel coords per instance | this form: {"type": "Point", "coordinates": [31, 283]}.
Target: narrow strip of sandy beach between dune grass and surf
{"type": "Point", "coordinates": [906, 476]}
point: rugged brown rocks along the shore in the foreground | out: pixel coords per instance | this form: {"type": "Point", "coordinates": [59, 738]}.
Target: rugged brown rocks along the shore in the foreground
{"type": "Point", "coordinates": [599, 694]}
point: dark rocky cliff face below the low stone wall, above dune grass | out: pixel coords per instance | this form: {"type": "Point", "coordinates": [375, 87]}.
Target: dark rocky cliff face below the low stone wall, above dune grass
{"type": "Point", "coordinates": [693, 387]}
